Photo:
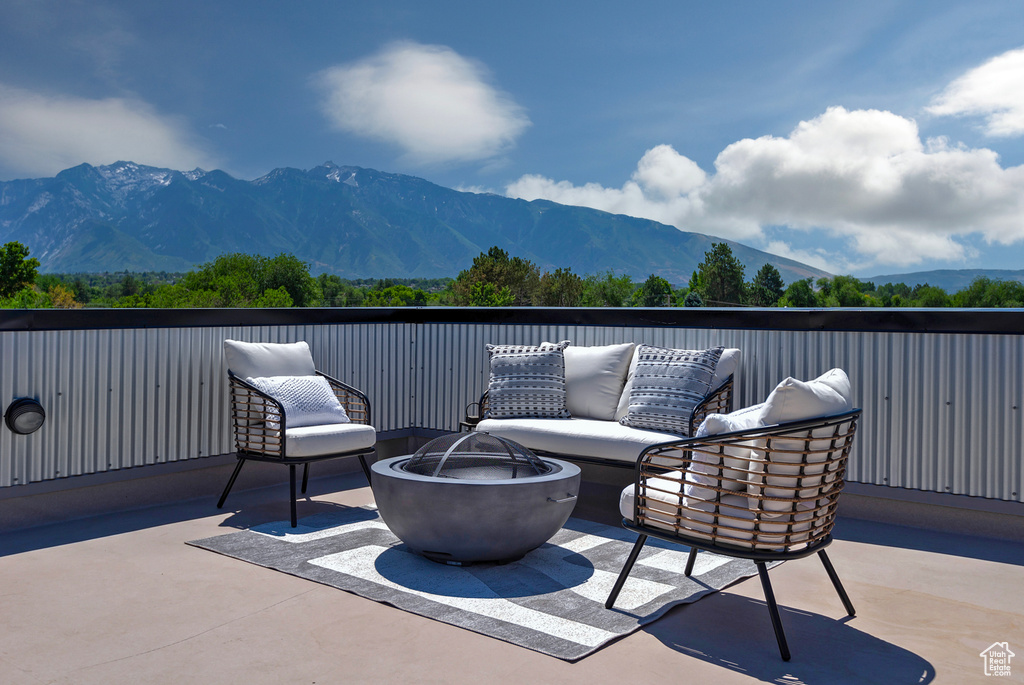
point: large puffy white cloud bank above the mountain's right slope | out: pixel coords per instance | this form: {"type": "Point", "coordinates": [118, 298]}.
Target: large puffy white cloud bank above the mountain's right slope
{"type": "Point", "coordinates": [864, 179]}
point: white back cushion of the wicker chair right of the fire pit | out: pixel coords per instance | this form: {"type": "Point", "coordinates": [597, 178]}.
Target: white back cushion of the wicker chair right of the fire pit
{"type": "Point", "coordinates": [797, 401]}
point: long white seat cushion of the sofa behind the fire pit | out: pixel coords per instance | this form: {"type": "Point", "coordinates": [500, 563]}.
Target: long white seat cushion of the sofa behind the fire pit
{"type": "Point", "coordinates": [583, 438]}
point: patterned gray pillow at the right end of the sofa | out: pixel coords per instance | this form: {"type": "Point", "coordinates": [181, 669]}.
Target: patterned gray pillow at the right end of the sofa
{"type": "Point", "coordinates": [668, 384]}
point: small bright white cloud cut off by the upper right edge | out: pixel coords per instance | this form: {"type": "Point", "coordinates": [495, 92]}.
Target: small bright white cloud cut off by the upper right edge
{"type": "Point", "coordinates": [995, 91]}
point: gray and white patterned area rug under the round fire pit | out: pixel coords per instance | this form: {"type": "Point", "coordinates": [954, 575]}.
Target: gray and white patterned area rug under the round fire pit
{"type": "Point", "coordinates": [552, 601]}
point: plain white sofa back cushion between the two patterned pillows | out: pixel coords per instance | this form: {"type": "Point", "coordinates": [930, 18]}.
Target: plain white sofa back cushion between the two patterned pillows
{"type": "Point", "coordinates": [594, 379]}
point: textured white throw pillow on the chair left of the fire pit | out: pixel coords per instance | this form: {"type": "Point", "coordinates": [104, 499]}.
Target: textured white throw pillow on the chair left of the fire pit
{"type": "Point", "coordinates": [308, 401]}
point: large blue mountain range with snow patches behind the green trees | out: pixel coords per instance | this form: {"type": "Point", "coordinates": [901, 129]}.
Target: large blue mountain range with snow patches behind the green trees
{"type": "Point", "coordinates": [358, 224]}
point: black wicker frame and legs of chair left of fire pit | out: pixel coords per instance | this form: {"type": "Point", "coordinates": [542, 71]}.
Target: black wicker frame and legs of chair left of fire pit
{"type": "Point", "coordinates": [255, 442]}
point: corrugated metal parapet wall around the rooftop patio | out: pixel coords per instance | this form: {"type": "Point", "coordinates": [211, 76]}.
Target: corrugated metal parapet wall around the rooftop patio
{"type": "Point", "coordinates": [943, 411]}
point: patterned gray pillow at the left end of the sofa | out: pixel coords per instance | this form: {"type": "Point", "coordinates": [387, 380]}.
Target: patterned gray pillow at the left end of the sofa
{"type": "Point", "coordinates": [528, 381]}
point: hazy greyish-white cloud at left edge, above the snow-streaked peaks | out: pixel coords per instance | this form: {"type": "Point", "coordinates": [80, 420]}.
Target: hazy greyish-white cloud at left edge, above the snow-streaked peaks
{"type": "Point", "coordinates": [44, 135]}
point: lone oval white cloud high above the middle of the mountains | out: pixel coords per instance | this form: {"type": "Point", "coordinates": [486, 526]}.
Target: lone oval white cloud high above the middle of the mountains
{"type": "Point", "coordinates": [433, 103]}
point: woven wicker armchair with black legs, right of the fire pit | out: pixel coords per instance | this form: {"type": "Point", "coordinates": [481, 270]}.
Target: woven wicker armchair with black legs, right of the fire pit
{"type": "Point", "coordinates": [766, 494]}
